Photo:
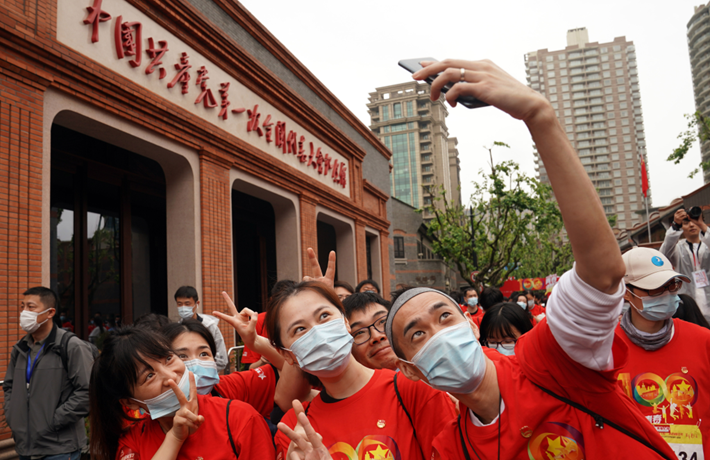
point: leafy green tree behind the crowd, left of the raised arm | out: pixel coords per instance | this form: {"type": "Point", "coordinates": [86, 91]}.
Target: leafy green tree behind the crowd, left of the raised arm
{"type": "Point", "coordinates": [513, 228]}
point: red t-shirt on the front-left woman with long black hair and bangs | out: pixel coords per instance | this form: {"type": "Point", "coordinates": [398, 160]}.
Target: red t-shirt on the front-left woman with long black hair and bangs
{"type": "Point", "coordinates": [250, 433]}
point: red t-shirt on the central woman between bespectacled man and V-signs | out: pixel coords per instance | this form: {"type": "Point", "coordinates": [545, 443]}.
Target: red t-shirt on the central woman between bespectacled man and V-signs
{"type": "Point", "coordinates": [372, 424]}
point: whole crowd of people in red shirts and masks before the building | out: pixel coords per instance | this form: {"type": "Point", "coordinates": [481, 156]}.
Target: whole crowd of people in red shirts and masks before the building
{"type": "Point", "coordinates": [612, 364]}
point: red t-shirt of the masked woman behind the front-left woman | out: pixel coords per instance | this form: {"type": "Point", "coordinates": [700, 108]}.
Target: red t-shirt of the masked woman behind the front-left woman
{"type": "Point", "coordinates": [255, 387]}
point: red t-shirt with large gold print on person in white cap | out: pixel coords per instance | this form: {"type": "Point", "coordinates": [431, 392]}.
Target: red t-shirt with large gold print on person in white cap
{"type": "Point", "coordinates": [669, 387]}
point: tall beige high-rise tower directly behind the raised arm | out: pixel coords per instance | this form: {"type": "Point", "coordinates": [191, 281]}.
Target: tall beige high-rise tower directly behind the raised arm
{"type": "Point", "coordinates": [594, 89]}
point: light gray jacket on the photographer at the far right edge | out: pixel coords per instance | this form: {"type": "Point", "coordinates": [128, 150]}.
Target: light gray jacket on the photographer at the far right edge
{"type": "Point", "coordinates": [678, 252]}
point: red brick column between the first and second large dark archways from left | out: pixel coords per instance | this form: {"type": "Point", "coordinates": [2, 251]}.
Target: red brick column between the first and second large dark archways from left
{"type": "Point", "coordinates": [216, 226]}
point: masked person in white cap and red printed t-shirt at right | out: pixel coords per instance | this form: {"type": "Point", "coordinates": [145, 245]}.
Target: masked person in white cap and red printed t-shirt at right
{"type": "Point", "coordinates": [668, 370]}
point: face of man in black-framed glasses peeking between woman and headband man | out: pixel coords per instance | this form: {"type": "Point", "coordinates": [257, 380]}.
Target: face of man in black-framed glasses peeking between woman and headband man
{"type": "Point", "coordinates": [367, 315]}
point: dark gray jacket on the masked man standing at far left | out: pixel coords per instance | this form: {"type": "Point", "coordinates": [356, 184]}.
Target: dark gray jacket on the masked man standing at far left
{"type": "Point", "coordinates": [48, 417]}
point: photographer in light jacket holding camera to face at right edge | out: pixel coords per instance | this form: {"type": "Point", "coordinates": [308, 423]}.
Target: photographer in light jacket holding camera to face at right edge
{"type": "Point", "coordinates": [686, 246]}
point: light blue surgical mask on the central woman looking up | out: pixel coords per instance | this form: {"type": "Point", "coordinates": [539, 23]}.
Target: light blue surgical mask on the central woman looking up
{"type": "Point", "coordinates": [324, 351]}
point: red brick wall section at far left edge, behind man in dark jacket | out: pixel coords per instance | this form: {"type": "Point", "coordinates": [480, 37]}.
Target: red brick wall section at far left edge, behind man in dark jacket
{"type": "Point", "coordinates": [20, 205]}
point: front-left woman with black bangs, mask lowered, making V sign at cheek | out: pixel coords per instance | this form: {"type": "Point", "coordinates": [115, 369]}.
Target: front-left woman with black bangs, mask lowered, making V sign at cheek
{"type": "Point", "coordinates": [138, 369]}
